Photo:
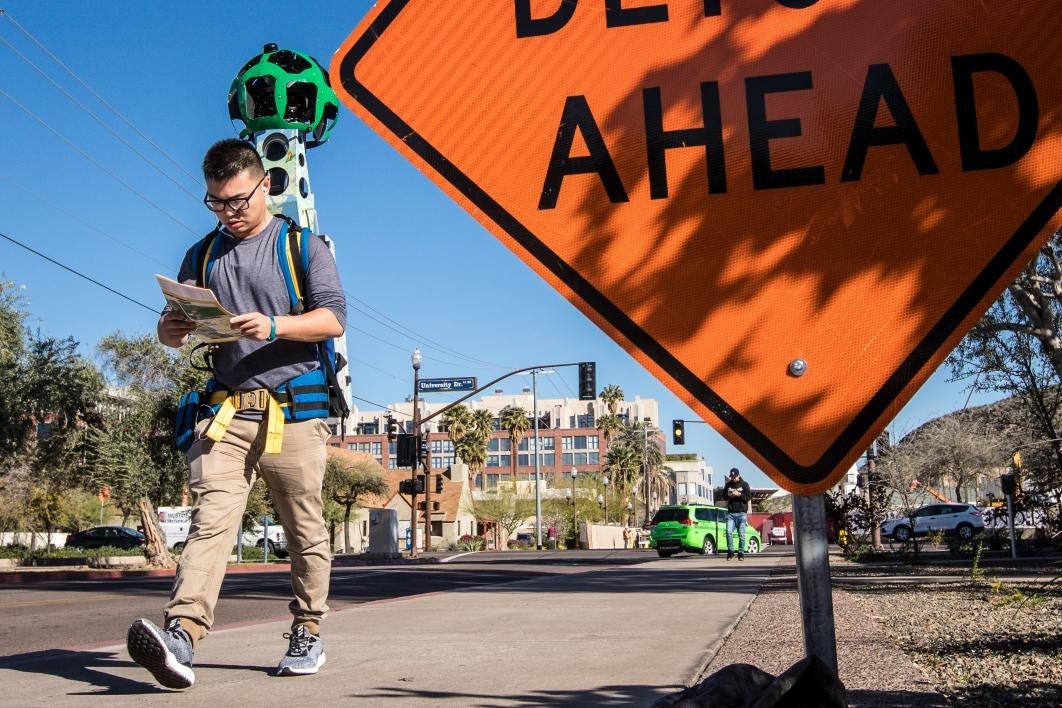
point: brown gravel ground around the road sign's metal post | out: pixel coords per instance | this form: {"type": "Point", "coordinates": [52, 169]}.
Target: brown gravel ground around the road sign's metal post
{"type": "Point", "coordinates": [926, 636]}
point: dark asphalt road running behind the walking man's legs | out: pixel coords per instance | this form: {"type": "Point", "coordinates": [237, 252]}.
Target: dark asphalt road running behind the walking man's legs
{"type": "Point", "coordinates": [84, 614]}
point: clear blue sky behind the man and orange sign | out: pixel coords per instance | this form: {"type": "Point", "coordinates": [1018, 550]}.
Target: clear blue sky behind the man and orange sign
{"type": "Point", "coordinates": [118, 199]}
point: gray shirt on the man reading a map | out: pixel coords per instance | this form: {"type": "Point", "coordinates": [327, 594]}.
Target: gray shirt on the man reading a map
{"type": "Point", "coordinates": [247, 278]}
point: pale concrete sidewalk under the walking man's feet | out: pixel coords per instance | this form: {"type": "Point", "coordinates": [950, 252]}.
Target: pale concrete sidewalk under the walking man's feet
{"type": "Point", "coordinates": [625, 635]}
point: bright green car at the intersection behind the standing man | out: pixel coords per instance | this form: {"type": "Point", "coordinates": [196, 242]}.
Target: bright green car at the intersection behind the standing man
{"type": "Point", "coordinates": [695, 528]}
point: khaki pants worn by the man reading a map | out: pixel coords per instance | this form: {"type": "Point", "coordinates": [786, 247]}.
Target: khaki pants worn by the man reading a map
{"type": "Point", "coordinates": [220, 477]}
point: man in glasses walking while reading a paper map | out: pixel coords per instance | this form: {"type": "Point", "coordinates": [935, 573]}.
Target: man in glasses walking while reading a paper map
{"type": "Point", "coordinates": [275, 349]}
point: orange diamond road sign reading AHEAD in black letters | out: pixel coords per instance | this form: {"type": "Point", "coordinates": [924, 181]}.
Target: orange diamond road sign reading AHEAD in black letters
{"type": "Point", "coordinates": [789, 211]}
